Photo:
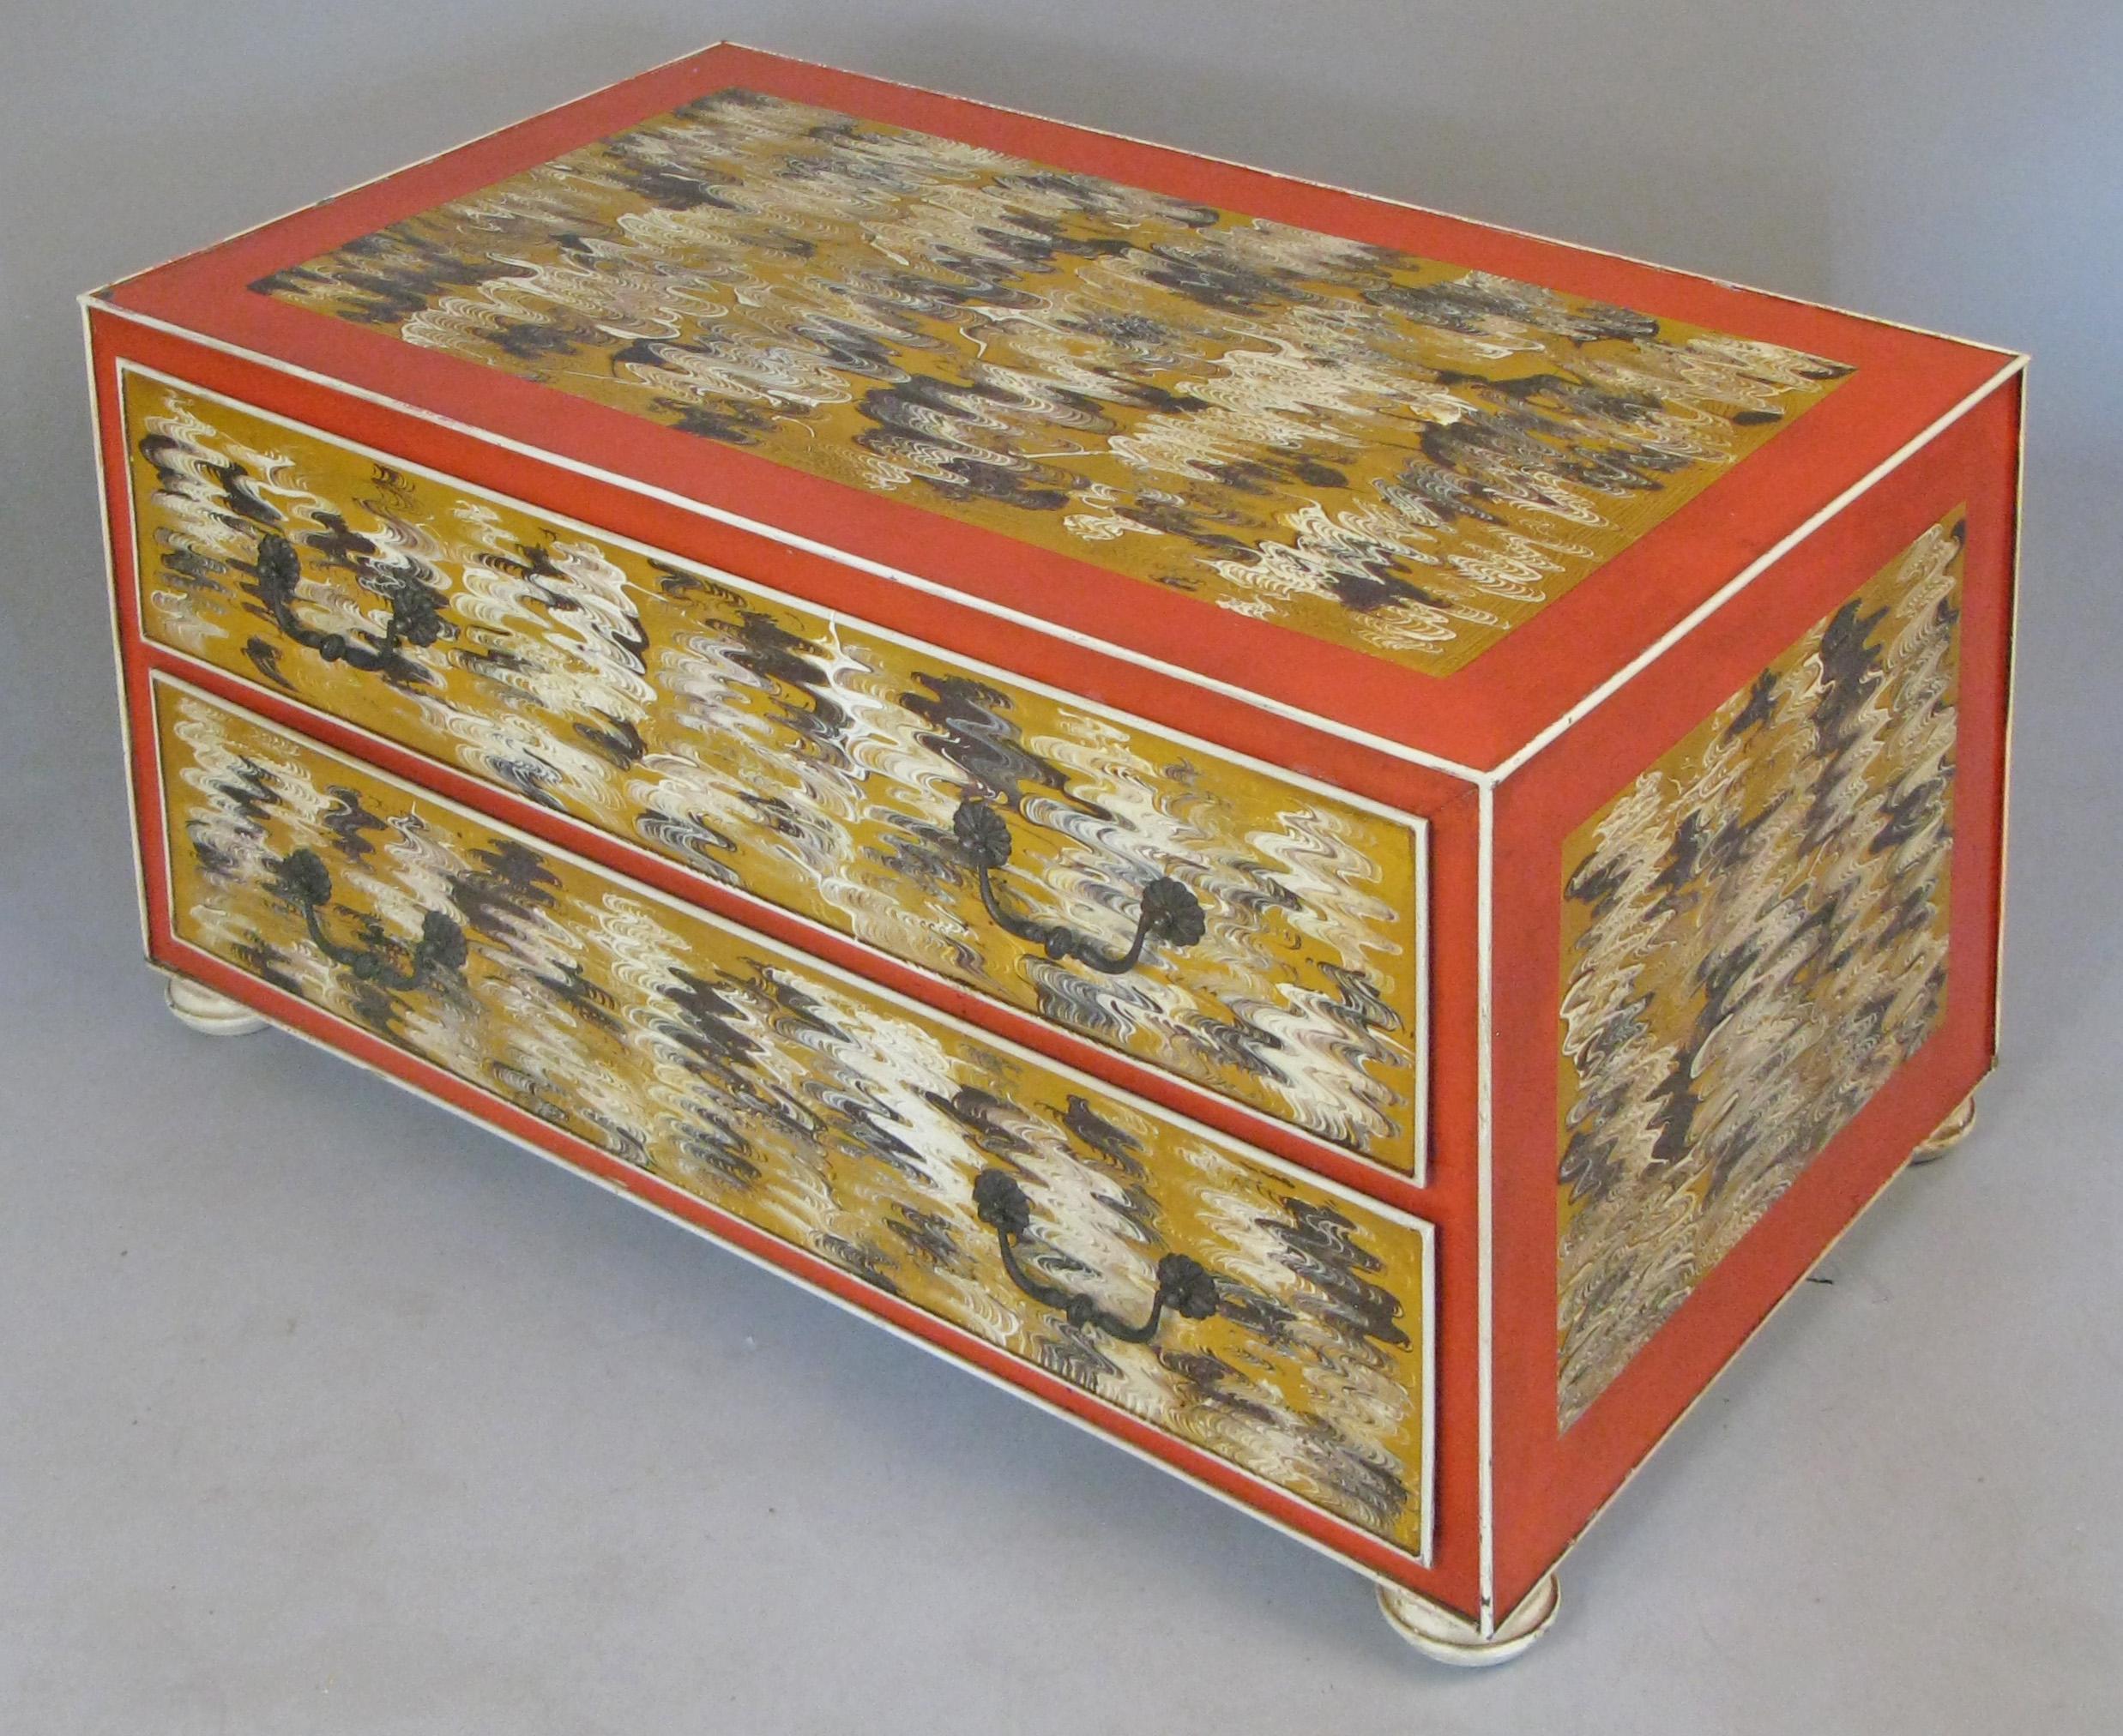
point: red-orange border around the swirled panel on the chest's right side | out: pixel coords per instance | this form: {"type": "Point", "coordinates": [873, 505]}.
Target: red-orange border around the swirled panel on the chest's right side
{"type": "Point", "coordinates": [1549, 1485]}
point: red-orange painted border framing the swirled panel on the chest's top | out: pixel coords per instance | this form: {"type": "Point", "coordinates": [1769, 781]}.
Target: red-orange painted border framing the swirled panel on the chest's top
{"type": "Point", "coordinates": [1474, 718]}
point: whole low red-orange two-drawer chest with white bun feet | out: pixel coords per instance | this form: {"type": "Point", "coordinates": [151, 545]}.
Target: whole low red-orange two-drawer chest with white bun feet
{"type": "Point", "coordinates": [1330, 839]}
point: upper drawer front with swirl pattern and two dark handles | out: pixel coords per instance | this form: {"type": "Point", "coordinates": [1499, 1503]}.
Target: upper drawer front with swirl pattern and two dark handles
{"type": "Point", "coordinates": [1237, 926]}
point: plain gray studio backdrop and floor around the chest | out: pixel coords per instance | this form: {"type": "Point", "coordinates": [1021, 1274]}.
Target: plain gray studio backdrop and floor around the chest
{"type": "Point", "coordinates": [326, 1412]}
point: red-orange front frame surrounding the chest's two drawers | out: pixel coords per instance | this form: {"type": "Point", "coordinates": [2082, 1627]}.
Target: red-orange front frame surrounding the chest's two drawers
{"type": "Point", "coordinates": [1447, 1200]}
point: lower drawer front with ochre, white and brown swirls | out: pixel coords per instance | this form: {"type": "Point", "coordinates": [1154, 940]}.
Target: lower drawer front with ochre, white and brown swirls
{"type": "Point", "coordinates": [1215, 1294]}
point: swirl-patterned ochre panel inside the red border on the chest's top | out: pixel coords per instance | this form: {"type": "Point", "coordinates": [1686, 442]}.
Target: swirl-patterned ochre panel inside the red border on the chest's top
{"type": "Point", "coordinates": [1379, 451]}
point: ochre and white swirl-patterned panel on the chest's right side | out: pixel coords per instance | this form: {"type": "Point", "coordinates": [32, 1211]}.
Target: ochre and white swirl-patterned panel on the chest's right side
{"type": "Point", "coordinates": [1755, 941]}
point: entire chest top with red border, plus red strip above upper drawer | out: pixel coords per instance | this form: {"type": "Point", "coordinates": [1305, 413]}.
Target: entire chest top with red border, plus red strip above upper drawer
{"type": "Point", "coordinates": [1213, 447]}
